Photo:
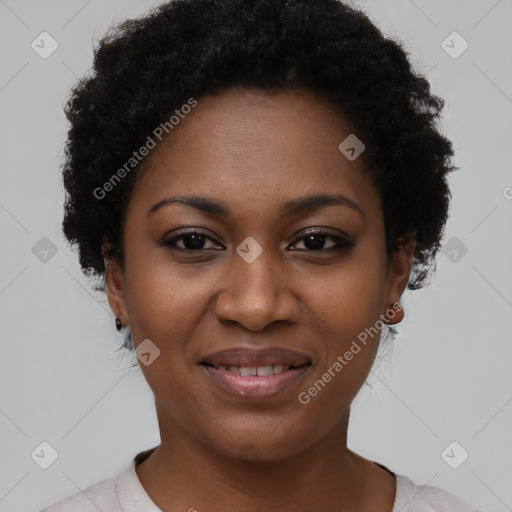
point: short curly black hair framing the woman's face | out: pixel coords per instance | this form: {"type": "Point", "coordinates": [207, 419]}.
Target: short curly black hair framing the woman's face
{"type": "Point", "coordinates": [147, 68]}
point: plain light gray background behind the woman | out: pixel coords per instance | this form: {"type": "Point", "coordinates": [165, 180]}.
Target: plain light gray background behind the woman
{"type": "Point", "coordinates": [448, 376]}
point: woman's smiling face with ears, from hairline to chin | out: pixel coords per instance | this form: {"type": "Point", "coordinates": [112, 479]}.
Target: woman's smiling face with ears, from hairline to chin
{"type": "Point", "coordinates": [260, 269]}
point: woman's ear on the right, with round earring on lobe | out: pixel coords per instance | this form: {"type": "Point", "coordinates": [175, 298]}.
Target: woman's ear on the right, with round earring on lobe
{"type": "Point", "coordinates": [399, 270]}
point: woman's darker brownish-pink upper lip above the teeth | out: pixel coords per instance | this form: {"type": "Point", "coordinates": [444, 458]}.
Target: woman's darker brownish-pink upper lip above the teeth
{"type": "Point", "coordinates": [256, 357]}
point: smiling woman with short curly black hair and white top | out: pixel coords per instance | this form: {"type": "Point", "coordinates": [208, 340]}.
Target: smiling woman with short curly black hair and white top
{"type": "Point", "coordinates": [258, 182]}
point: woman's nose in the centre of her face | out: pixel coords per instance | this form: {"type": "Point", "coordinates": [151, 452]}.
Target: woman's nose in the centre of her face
{"type": "Point", "coordinates": [255, 295]}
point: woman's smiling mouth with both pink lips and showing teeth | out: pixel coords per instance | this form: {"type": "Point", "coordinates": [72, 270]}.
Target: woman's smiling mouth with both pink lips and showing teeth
{"type": "Point", "coordinates": [255, 374]}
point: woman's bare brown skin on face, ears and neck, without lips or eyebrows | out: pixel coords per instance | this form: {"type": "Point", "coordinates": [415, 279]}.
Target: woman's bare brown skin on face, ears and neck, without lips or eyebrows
{"type": "Point", "coordinates": [253, 151]}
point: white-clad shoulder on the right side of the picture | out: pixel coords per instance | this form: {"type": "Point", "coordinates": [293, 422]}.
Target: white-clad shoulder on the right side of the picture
{"type": "Point", "coordinates": [424, 498]}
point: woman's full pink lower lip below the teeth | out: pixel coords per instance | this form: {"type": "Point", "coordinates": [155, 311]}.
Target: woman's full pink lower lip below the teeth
{"type": "Point", "coordinates": [255, 387]}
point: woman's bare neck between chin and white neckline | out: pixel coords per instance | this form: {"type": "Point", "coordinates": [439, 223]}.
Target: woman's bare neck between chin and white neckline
{"type": "Point", "coordinates": [184, 473]}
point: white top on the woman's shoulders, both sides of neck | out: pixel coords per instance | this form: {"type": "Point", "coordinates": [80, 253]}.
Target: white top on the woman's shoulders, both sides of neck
{"type": "Point", "coordinates": [124, 493]}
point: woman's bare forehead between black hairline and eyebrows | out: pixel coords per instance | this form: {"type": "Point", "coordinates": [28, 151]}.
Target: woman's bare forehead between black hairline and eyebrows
{"type": "Point", "coordinates": [246, 145]}
